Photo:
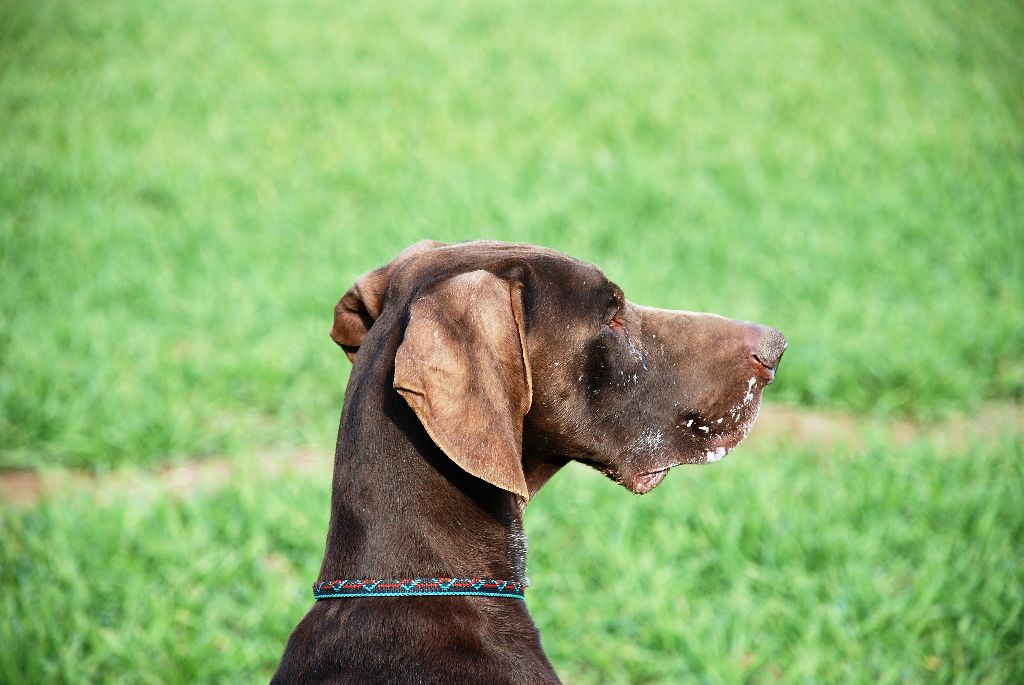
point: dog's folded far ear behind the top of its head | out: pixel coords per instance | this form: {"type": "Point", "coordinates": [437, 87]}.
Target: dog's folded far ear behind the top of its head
{"type": "Point", "coordinates": [362, 306]}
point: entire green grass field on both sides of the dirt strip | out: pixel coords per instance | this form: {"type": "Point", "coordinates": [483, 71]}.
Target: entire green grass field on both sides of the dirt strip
{"type": "Point", "coordinates": [186, 190]}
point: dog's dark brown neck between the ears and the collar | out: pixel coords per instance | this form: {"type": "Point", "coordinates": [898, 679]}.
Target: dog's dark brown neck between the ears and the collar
{"type": "Point", "coordinates": [401, 508]}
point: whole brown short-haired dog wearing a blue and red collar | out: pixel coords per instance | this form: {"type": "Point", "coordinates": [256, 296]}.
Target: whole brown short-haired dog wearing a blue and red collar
{"type": "Point", "coordinates": [480, 371]}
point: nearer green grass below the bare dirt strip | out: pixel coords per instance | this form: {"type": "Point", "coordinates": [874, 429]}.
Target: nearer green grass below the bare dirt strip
{"type": "Point", "coordinates": [775, 567]}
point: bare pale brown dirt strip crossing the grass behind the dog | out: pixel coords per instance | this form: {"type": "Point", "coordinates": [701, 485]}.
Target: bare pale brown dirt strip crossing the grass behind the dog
{"type": "Point", "coordinates": [778, 426]}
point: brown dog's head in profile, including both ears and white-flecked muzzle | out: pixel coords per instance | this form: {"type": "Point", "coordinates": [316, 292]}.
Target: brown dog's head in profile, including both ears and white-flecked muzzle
{"type": "Point", "coordinates": [518, 358]}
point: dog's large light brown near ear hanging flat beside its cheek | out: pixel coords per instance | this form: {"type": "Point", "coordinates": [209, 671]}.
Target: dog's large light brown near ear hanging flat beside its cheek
{"type": "Point", "coordinates": [463, 368]}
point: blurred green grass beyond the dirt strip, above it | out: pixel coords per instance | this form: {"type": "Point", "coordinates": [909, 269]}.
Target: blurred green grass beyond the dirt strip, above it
{"type": "Point", "coordinates": [187, 190]}
